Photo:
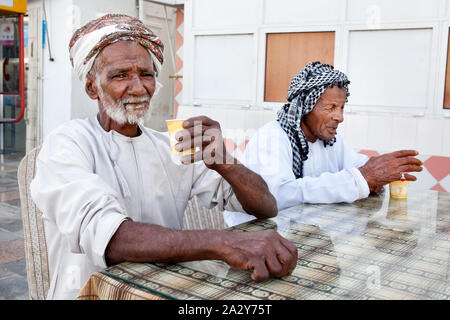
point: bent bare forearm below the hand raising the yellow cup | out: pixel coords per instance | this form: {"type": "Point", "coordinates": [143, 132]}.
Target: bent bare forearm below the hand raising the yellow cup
{"type": "Point", "coordinates": [250, 189]}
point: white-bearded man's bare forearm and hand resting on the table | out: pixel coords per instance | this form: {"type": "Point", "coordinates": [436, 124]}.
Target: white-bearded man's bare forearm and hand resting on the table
{"type": "Point", "coordinates": [265, 253]}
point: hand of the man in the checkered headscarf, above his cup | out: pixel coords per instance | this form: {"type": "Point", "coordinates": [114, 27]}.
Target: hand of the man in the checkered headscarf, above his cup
{"type": "Point", "coordinates": [389, 167]}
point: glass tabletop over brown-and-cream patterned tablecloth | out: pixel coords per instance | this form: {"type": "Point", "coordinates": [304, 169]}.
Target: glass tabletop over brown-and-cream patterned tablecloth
{"type": "Point", "coordinates": [375, 248]}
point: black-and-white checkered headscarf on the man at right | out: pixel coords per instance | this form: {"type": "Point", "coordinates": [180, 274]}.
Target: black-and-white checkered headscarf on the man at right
{"type": "Point", "coordinates": [305, 89]}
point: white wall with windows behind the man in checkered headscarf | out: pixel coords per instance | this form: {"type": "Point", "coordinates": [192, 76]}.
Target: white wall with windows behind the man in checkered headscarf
{"type": "Point", "coordinates": [393, 51]}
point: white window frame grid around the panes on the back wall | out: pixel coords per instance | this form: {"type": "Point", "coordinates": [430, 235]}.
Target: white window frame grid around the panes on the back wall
{"type": "Point", "coordinates": [342, 28]}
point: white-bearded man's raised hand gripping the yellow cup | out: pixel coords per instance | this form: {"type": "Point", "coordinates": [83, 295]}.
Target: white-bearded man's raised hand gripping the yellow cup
{"type": "Point", "coordinates": [205, 136]}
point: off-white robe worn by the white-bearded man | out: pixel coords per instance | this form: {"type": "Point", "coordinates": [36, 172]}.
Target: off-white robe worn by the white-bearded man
{"type": "Point", "coordinates": [88, 181]}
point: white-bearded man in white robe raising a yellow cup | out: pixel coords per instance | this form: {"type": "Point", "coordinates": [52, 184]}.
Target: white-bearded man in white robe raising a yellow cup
{"type": "Point", "coordinates": [109, 190]}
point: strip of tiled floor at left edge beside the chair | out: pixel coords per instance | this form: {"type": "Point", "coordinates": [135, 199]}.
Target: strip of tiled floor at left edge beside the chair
{"type": "Point", "coordinates": [13, 277]}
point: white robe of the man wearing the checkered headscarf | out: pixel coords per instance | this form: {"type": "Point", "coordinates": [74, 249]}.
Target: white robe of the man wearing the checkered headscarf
{"type": "Point", "coordinates": [330, 174]}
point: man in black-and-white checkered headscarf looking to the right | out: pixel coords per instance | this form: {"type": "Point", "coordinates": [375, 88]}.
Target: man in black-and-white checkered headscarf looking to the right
{"type": "Point", "coordinates": [301, 157]}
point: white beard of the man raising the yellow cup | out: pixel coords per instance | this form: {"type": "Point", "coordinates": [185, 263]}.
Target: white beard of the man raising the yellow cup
{"type": "Point", "coordinates": [123, 113]}
